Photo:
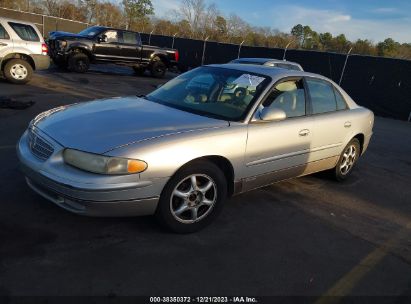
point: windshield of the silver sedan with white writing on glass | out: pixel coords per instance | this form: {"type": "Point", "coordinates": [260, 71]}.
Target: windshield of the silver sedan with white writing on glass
{"type": "Point", "coordinates": [215, 92]}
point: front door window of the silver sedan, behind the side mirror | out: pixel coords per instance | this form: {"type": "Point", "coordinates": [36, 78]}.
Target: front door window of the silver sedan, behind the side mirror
{"type": "Point", "coordinates": [288, 96]}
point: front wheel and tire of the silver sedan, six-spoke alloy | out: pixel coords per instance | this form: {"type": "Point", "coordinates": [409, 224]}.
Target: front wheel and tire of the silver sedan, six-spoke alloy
{"type": "Point", "coordinates": [192, 198]}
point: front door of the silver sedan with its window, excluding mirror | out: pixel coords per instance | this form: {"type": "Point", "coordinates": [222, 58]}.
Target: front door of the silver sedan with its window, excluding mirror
{"type": "Point", "coordinates": [278, 150]}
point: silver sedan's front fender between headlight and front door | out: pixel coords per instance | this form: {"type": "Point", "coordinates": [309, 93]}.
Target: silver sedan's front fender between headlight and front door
{"type": "Point", "coordinates": [165, 155]}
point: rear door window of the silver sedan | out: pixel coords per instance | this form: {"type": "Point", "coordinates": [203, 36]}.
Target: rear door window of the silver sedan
{"type": "Point", "coordinates": [322, 96]}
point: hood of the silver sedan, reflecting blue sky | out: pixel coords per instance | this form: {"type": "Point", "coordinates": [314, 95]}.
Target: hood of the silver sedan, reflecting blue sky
{"type": "Point", "coordinates": [103, 125]}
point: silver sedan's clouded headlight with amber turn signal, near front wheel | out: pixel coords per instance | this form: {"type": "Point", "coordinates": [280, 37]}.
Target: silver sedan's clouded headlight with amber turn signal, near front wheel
{"type": "Point", "coordinates": [103, 164]}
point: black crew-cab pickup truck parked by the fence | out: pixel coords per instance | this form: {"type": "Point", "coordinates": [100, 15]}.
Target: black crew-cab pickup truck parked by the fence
{"type": "Point", "coordinates": [98, 44]}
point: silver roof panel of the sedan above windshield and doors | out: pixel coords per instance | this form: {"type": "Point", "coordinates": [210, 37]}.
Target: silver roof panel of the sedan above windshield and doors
{"type": "Point", "coordinates": [273, 72]}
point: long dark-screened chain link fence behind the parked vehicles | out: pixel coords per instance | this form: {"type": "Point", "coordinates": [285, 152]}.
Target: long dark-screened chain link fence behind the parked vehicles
{"type": "Point", "coordinates": [380, 84]}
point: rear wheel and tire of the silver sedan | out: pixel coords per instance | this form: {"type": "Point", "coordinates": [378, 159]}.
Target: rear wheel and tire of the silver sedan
{"type": "Point", "coordinates": [347, 160]}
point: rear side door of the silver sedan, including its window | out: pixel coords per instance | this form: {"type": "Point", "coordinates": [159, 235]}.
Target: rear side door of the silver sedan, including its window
{"type": "Point", "coordinates": [332, 126]}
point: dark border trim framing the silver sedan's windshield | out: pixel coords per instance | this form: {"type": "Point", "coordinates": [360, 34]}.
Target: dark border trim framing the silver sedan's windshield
{"type": "Point", "coordinates": [242, 118]}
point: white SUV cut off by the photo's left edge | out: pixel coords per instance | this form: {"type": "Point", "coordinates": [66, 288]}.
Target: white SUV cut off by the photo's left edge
{"type": "Point", "coordinates": [22, 50]}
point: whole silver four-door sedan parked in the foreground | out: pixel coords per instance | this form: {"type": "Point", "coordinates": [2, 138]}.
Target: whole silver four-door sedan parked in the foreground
{"type": "Point", "coordinates": [181, 150]}
